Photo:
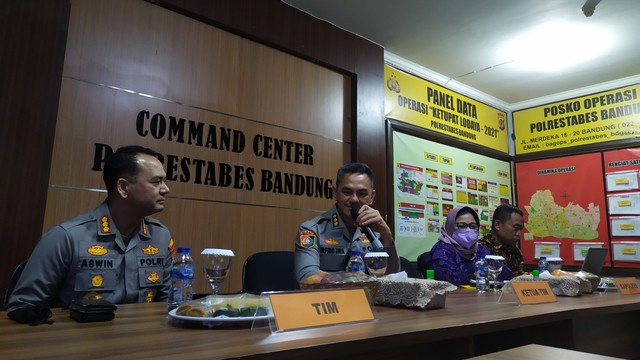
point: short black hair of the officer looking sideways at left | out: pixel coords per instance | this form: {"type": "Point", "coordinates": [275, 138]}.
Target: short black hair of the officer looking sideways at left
{"type": "Point", "coordinates": [123, 163]}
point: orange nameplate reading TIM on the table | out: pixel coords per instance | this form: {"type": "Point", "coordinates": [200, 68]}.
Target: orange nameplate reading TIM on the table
{"type": "Point", "coordinates": [299, 310]}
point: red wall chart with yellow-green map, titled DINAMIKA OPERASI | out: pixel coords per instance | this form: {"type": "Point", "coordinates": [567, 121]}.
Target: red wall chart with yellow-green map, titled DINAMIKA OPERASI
{"type": "Point", "coordinates": [564, 204]}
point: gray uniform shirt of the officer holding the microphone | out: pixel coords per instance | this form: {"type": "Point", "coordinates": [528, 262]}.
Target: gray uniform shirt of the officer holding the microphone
{"type": "Point", "coordinates": [324, 243]}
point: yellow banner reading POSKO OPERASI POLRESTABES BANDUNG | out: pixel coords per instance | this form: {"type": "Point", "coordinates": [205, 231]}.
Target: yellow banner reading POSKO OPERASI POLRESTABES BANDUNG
{"type": "Point", "coordinates": [596, 118]}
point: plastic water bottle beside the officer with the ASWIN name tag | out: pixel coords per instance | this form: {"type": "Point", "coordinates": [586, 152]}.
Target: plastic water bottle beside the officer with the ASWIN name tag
{"type": "Point", "coordinates": [182, 270]}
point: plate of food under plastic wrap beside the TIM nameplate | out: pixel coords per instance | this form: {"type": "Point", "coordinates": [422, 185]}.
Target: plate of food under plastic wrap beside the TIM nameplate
{"type": "Point", "coordinates": [224, 310]}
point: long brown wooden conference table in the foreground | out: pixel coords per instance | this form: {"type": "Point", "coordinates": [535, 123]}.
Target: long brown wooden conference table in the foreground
{"type": "Point", "coordinates": [470, 324]}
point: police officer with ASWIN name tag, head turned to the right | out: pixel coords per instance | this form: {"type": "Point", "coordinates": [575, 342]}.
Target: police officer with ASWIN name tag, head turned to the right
{"type": "Point", "coordinates": [114, 252]}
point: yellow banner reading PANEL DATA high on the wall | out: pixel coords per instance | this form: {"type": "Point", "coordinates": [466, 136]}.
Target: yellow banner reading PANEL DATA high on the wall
{"type": "Point", "coordinates": [429, 106]}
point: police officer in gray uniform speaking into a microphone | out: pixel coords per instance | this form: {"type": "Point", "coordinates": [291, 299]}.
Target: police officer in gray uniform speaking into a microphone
{"type": "Point", "coordinates": [325, 242]}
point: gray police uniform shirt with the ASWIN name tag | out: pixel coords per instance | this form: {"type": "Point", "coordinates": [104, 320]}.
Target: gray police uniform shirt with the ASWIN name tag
{"type": "Point", "coordinates": [86, 257]}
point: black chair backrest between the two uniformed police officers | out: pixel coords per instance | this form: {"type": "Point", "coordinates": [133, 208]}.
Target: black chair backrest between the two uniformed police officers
{"type": "Point", "coordinates": [268, 271]}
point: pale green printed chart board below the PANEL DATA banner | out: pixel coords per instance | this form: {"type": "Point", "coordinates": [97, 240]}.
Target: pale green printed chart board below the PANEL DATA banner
{"type": "Point", "coordinates": [430, 179]}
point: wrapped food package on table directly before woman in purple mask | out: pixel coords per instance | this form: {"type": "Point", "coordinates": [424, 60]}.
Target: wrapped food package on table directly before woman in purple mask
{"type": "Point", "coordinates": [413, 293]}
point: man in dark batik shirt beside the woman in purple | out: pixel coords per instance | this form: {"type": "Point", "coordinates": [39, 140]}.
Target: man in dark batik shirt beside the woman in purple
{"type": "Point", "coordinates": [504, 238]}
